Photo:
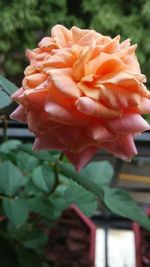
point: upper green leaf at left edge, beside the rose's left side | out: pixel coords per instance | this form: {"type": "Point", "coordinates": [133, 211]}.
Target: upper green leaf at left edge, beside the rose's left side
{"type": "Point", "coordinates": [8, 87]}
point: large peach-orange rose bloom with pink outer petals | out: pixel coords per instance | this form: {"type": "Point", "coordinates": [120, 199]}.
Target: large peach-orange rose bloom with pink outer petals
{"type": "Point", "coordinates": [81, 92]}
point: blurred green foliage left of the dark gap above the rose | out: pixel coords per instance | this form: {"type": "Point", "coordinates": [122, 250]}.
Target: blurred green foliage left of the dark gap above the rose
{"type": "Point", "coordinates": [23, 23]}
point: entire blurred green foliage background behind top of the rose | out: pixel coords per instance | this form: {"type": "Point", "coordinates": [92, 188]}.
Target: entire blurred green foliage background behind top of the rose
{"type": "Point", "coordinates": [24, 23]}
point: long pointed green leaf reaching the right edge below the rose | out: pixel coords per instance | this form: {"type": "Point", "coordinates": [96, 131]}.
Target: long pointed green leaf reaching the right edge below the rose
{"type": "Point", "coordinates": [120, 202]}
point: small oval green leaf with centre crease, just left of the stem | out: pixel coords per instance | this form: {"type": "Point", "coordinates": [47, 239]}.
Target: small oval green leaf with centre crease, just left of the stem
{"type": "Point", "coordinates": [43, 178]}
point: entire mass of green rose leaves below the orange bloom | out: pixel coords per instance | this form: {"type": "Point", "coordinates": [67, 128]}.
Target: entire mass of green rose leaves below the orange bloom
{"type": "Point", "coordinates": [35, 191]}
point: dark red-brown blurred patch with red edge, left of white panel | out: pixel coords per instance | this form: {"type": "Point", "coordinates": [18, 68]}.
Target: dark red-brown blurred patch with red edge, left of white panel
{"type": "Point", "coordinates": [72, 240]}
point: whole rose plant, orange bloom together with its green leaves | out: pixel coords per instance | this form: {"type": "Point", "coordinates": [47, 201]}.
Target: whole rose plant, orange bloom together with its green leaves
{"type": "Point", "coordinates": [82, 91]}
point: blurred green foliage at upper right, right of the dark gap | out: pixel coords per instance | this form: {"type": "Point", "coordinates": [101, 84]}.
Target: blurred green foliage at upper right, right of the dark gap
{"type": "Point", "coordinates": [130, 19]}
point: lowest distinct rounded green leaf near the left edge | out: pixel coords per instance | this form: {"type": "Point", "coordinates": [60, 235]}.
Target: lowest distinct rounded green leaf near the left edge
{"type": "Point", "coordinates": [16, 210]}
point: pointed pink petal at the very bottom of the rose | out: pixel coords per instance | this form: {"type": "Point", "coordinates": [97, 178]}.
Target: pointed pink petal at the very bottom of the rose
{"type": "Point", "coordinates": [82, 158]}
